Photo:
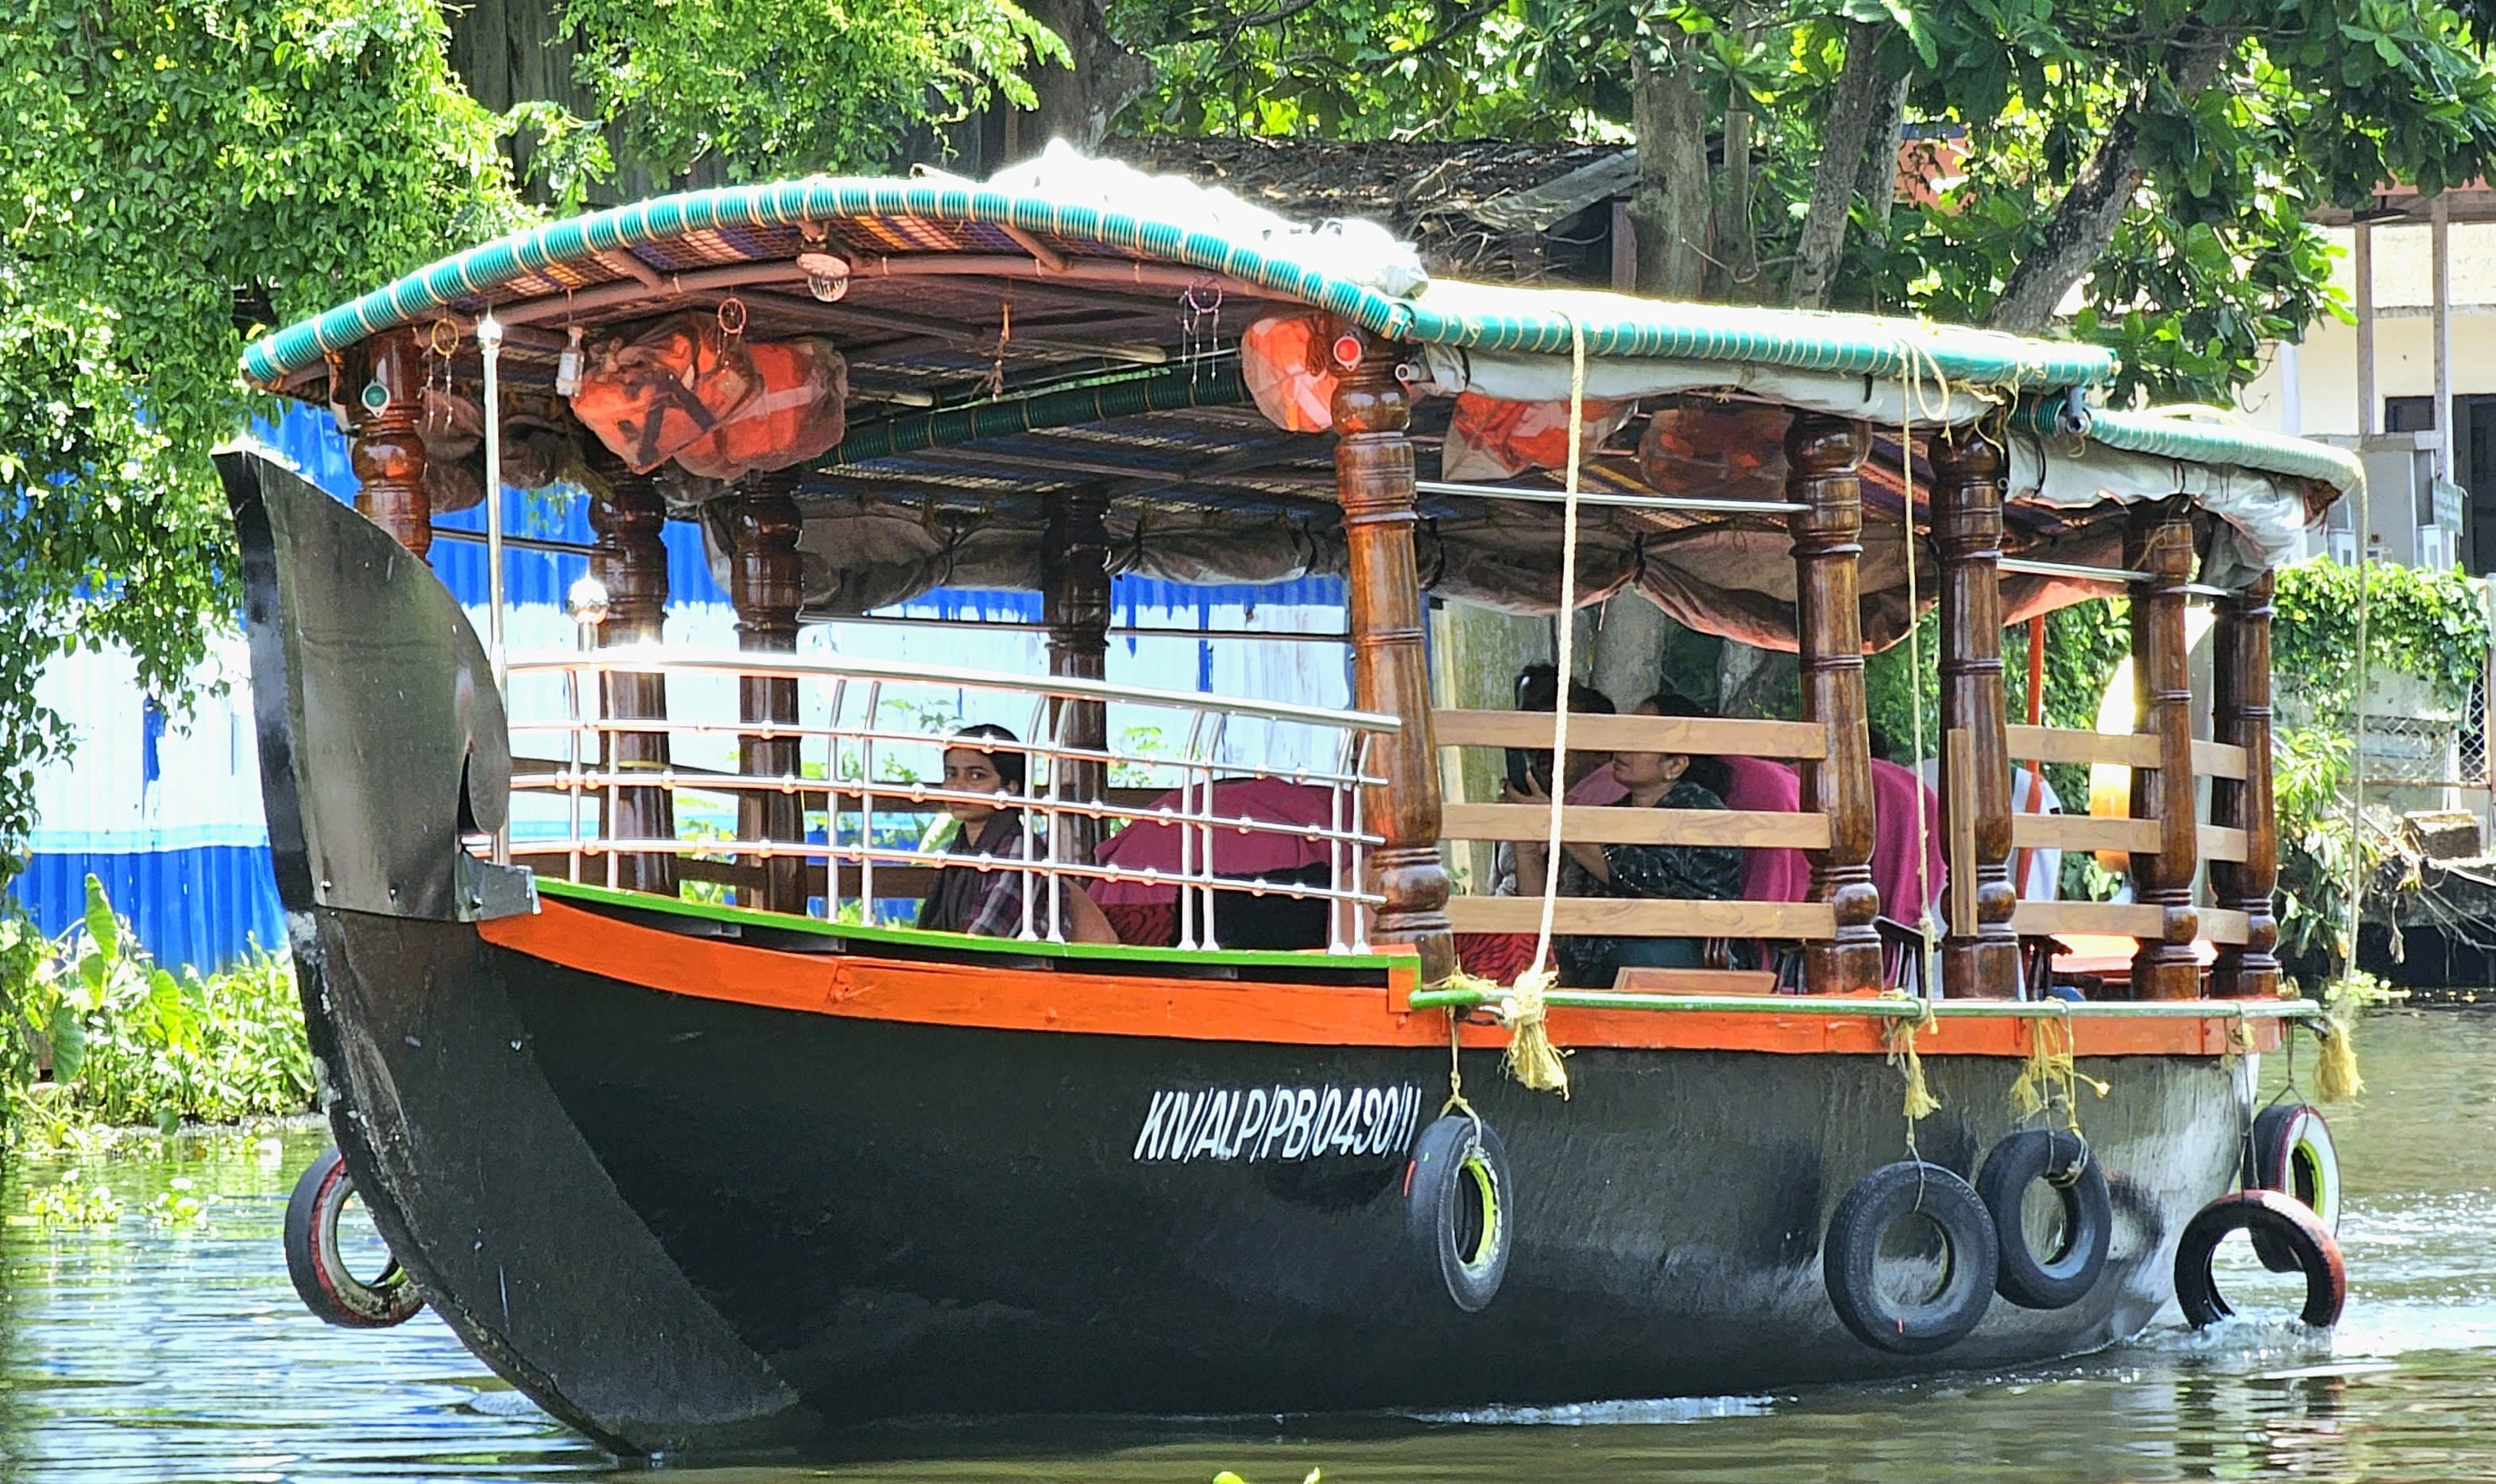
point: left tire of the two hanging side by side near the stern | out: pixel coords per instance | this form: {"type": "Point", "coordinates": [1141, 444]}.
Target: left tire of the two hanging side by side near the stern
{"type": "Point", "coordinates": [1851, 1258]}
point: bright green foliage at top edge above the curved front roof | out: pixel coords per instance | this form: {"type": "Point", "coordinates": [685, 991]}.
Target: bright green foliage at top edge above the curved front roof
{"type": "Point", "coordinates": [797, 86]}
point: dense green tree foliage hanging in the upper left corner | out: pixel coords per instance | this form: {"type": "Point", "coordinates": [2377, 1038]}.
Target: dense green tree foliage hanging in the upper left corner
{"type": "Point", "coordinates": [181, 176]}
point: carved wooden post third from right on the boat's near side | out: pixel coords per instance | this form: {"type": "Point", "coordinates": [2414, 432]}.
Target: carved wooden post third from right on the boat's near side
{"type": "Point", "coordinates": [1981, 954]}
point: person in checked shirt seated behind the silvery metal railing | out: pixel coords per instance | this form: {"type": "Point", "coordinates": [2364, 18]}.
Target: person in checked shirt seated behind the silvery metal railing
{"type": "Point", "coordinates": [990, 904]}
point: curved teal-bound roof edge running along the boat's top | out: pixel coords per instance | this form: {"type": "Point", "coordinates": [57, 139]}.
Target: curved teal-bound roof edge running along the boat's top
{"type": "Point", "coordinates": [955, 228]}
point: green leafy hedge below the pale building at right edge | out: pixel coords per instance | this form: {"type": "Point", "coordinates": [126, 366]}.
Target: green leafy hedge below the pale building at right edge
{"type": "Point", "coordinates": [2425, 625]}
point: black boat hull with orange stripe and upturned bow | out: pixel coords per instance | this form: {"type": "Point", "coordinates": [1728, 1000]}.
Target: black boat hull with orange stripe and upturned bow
{"type": "Point", "coordinates": [705, 1213]}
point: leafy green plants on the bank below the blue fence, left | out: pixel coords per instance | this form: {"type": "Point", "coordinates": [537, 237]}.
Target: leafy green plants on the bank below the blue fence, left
{"type": "Point", "coordinates": [101, 1034]}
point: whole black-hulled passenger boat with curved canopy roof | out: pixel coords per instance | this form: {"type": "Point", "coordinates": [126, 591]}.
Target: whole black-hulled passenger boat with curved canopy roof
{"type": "Point", "coordinates": [695, 1139]}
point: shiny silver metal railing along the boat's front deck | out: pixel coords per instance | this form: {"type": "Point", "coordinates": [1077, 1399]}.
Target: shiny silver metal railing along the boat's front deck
{"type": "Point", "coordinates": [855, 769]}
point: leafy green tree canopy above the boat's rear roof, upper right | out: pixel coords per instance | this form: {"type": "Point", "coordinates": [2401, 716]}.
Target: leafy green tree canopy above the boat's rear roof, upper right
{"type": "Point", "coordinates": [2163, 156]}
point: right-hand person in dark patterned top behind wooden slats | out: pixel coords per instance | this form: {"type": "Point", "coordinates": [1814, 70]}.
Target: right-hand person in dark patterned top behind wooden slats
{"type": "Point", "coordinates": [1639, 872]}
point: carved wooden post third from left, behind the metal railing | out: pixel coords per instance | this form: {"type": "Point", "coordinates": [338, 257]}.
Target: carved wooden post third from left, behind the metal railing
{"type": "Point", "coordinates": [768, 590]}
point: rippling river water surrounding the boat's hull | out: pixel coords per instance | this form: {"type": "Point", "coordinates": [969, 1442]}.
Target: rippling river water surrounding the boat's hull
{"type": "Point", "coordinates": [156, 1351]}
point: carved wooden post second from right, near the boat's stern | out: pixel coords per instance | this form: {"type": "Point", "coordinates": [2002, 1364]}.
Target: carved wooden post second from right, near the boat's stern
{"type": "Point", "coordinates": [2160, 545]}
